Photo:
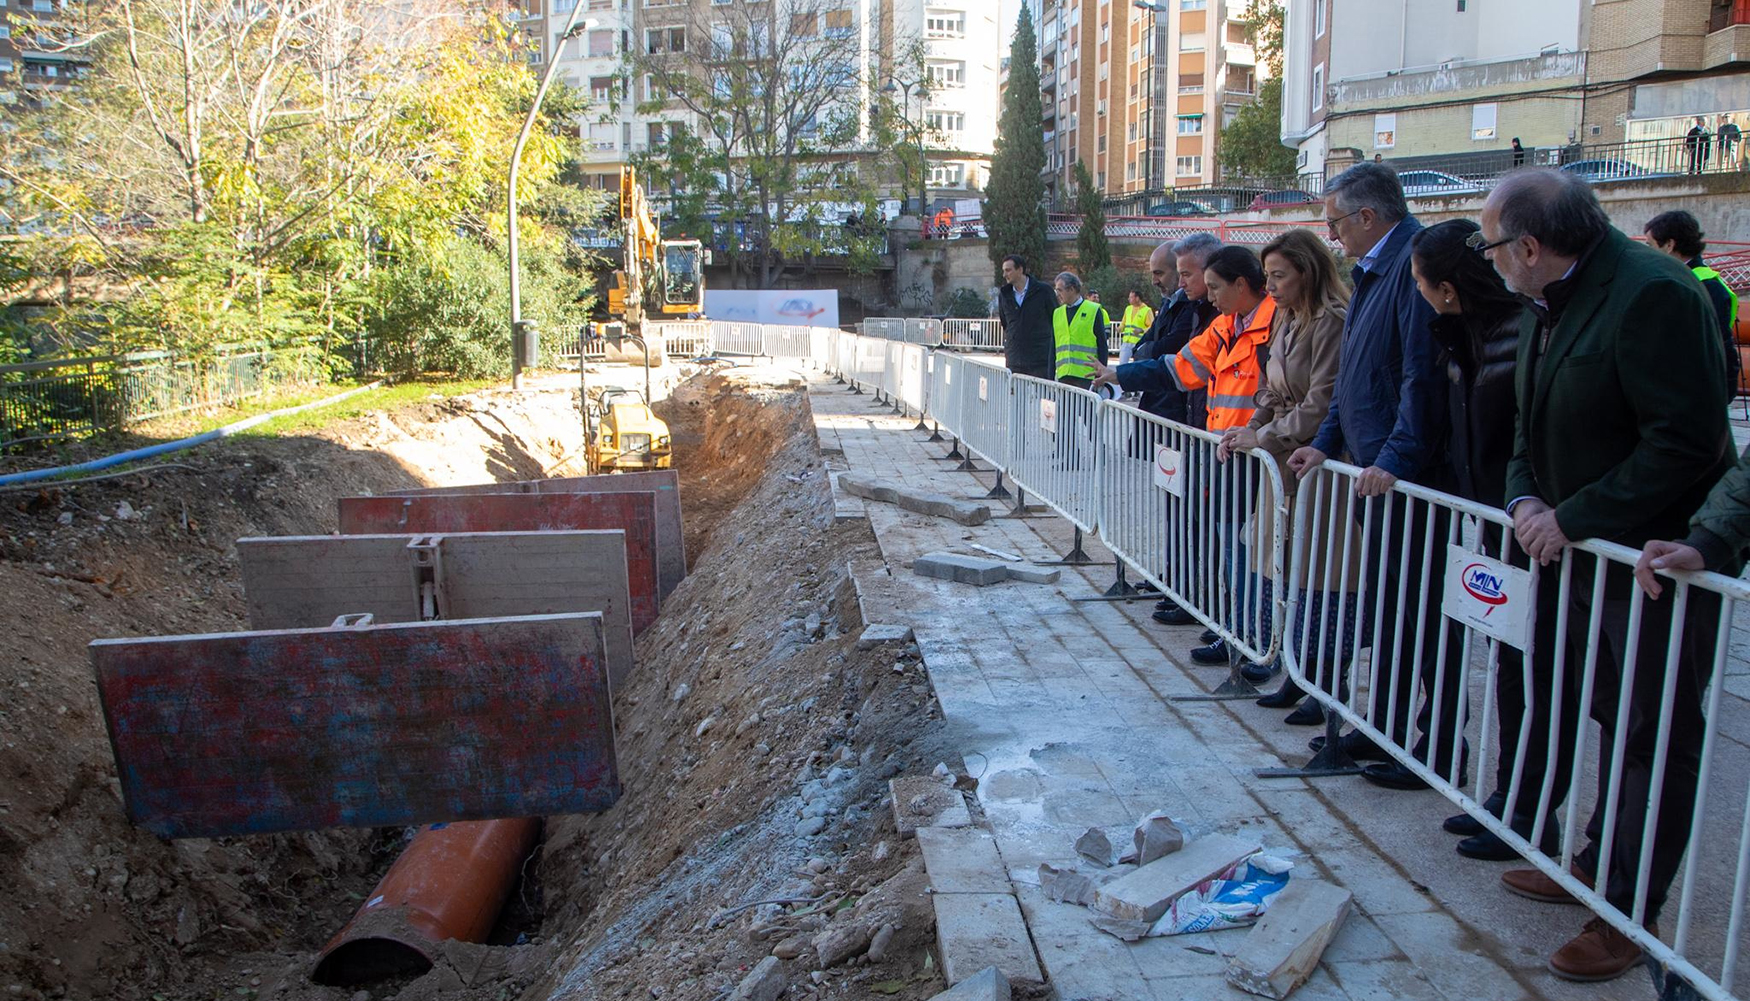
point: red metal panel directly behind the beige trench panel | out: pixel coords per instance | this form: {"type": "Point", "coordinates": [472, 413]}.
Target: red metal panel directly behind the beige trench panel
{"type": "Point", "coordinates": [633, 514]}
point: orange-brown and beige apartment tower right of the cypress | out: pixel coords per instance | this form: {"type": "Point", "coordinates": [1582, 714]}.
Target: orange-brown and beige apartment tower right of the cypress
{"type": "Point", "coordinates": [1140, 92]}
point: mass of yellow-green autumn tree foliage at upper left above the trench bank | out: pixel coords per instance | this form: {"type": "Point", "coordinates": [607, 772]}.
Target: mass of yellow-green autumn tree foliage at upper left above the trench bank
{"type": "Point", "coordinates": [291, 171]}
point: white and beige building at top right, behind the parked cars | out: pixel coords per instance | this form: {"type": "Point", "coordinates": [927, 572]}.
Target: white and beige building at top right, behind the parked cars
{"type": "Point", "coordinates": [1455, 81]}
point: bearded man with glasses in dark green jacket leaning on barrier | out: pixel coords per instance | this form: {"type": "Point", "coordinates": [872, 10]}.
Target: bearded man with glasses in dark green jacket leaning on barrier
{"type": "Point", "coordinates": [1620, 437]}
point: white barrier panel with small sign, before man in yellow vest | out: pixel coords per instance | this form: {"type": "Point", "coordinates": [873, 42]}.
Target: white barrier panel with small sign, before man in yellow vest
{"type": "Point", "coordinates": [1053, 447]}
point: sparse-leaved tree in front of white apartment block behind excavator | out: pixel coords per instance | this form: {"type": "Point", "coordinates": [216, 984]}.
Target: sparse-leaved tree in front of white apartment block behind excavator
{"type": "Point", "coordinates": [780, 115]}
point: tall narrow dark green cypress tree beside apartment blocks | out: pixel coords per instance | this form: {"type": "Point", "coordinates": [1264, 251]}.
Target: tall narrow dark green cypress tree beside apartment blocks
{"type": "Point", "coordinates": [1014, 207]}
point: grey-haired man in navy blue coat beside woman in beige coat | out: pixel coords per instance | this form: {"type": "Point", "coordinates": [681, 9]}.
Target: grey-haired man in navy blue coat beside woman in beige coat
{"type": "Point", "coordinates": [1389, 416]}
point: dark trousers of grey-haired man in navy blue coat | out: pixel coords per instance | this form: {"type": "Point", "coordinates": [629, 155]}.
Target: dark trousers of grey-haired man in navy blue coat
{"type": "Point", "coordinates": [1401, 556]}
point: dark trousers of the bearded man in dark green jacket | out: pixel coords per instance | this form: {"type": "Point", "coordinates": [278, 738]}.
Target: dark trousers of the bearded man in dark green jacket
{"type": "Point", "coordinates": [1695, 669]}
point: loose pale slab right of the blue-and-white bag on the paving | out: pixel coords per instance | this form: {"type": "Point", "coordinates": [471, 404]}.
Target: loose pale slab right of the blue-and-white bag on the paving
{"type": "Point", "coordinates": [1285, 948]}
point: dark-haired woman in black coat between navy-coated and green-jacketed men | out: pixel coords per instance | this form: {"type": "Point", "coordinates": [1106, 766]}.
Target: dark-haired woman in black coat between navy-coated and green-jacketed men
{"type": "Point", "coordinates": [1478, 330]}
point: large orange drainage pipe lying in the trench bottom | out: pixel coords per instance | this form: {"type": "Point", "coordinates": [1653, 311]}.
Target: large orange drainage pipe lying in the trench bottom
{"type": "Point", "coordinates": [451, 883]}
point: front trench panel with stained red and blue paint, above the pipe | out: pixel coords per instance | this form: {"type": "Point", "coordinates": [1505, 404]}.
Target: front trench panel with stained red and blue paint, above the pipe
{"type": "Point", "coordinates": [360, 727]}
